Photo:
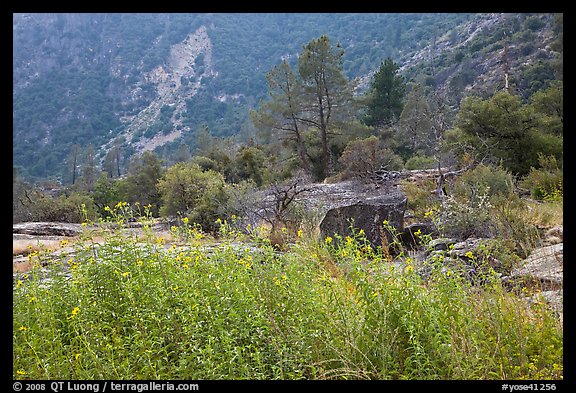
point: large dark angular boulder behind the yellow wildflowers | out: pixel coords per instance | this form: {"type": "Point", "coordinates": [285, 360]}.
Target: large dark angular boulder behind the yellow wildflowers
{"type": "Point", "coordinates": [368, 214]}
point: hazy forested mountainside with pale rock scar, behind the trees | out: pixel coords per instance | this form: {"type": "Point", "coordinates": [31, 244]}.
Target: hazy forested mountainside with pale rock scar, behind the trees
{"type": "Point", "coordinates": [120, 84]}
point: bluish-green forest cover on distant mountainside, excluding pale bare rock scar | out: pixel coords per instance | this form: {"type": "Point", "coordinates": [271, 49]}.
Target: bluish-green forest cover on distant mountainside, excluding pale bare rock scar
{"type": "Point", "coordinates": [82, 73]}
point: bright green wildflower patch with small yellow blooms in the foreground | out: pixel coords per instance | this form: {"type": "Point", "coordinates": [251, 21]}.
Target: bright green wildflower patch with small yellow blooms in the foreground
{"type": "Point", "coordinates": [137, 308]}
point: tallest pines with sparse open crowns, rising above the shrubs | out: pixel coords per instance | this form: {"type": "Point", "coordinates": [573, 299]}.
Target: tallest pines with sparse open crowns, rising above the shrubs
{"type": "Point", "coordinates": [305, 109]}
